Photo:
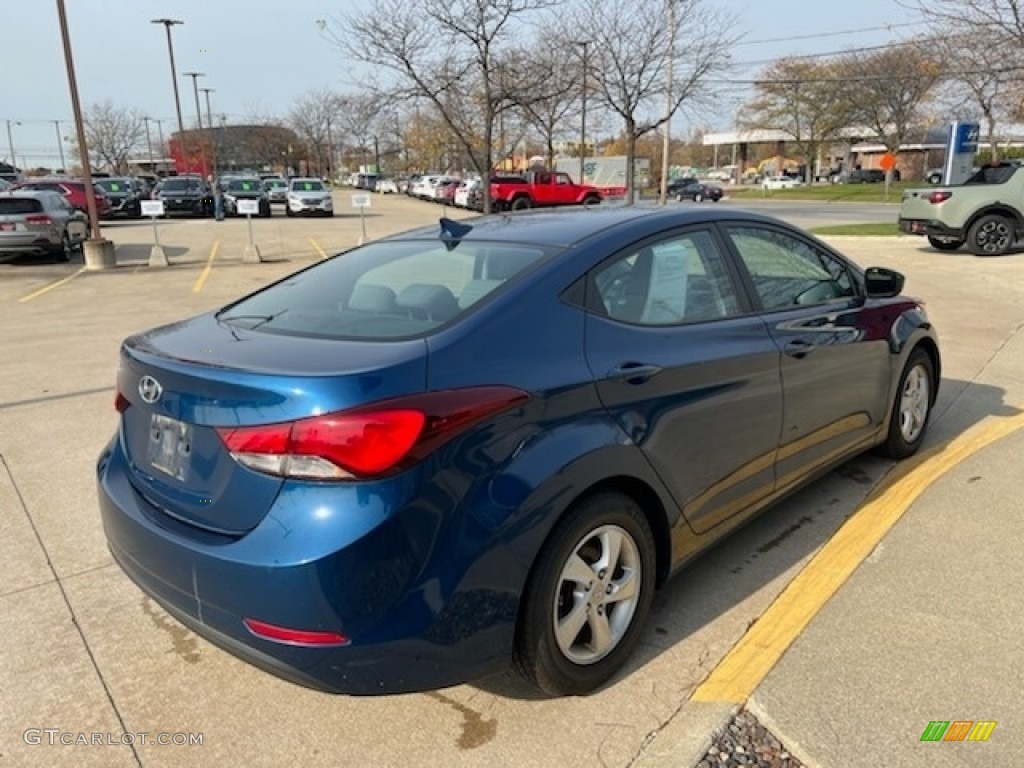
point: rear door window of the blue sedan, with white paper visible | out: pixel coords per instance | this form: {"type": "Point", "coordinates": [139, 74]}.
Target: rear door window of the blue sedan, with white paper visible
{"type": "Point", "coordinates": [677, 281]}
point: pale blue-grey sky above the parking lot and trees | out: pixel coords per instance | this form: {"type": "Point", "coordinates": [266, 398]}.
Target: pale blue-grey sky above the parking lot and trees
{"type": "Point", "coordinates": [260, 56]}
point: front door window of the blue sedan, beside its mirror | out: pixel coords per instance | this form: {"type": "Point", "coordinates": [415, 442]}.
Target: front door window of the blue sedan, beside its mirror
{"type": "Point", "coordinates": [789, 272]}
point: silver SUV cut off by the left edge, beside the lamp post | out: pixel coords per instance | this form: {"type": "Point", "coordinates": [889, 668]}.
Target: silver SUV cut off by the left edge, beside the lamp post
{"type": "Point", "coordinates": [40, 223]}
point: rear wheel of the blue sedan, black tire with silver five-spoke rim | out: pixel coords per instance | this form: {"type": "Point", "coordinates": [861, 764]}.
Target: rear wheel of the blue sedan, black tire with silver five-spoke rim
{"type": "Point", "coordinates": [569, 596]}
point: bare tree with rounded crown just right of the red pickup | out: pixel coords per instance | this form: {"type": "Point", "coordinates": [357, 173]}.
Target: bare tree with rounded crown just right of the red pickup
{"type": "Point", "coordinates": [631, 41]}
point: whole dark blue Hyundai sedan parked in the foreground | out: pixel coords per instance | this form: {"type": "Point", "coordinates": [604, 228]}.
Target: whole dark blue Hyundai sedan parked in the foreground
{"type": "Point", "coordinates": [488, 443]}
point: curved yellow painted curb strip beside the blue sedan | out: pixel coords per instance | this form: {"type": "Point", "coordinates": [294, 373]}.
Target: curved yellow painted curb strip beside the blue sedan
{"type": "Point", "coordinates": [739, 675]}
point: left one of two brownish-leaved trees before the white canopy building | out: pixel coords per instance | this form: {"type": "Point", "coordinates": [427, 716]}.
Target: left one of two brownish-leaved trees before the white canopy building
{"type": "Point", "coordinates": [799, 98]}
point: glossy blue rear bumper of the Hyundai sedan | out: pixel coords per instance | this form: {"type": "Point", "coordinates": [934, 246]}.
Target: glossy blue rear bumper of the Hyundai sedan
{"type": "Point", "coordinates": [379, 580]}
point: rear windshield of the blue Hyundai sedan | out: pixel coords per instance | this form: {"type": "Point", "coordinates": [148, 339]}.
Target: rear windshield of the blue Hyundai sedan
{"type": "Point", "coordinates": [389, 290]}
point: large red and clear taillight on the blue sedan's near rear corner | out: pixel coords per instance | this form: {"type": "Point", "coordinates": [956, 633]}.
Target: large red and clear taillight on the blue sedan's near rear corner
{"type": "Point", "coordinates": [369, 441]}
